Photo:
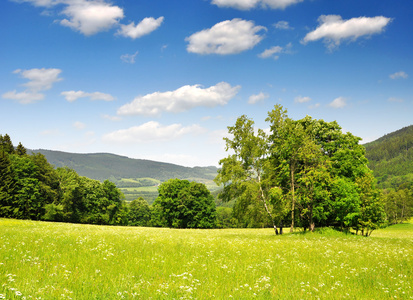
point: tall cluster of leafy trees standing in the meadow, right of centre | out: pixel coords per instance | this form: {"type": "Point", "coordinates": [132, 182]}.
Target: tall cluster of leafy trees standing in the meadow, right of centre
{"type": "Point", "coordinates": [306, 172]}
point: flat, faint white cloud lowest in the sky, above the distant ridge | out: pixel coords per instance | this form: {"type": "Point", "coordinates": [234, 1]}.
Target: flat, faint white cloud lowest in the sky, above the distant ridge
{"type": "Point", "coordinates": [151, 132]}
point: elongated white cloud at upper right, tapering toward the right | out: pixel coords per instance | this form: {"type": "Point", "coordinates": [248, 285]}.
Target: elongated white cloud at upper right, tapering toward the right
{"type": "Point", "coordinates": [333, 29]}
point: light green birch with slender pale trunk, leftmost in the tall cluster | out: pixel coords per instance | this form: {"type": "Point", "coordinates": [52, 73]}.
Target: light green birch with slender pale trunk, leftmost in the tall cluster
{"type": "Point", "coordinates": [242, 173]}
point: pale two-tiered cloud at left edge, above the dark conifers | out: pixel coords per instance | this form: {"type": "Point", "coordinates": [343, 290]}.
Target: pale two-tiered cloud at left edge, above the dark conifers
{"type": "Point", "coordinates": [39, 80]}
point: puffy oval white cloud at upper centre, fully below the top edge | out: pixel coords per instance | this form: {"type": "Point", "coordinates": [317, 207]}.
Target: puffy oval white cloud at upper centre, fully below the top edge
{"type": "Point", "coordinates": [227, 37]}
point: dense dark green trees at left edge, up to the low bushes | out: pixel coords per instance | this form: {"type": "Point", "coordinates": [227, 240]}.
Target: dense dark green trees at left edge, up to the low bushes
{"type": "Point", "coordinates": [30, 188]}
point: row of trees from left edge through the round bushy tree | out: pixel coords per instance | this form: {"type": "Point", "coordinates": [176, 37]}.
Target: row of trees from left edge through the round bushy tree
{"type": "Point", "coordinates": [31, 188]}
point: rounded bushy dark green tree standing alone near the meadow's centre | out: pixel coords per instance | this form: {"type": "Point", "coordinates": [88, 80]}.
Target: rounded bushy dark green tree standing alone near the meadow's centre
{"type": "Point", "coordinates": [184, 204]}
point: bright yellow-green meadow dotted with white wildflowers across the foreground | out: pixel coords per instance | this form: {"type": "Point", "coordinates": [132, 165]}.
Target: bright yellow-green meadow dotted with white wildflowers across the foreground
{"type": "Point", "coordinates": [40, 260]}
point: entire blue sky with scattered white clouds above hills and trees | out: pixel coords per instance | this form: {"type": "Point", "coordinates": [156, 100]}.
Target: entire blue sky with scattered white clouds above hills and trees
{"type": "Point", "coordinates": [162, 79]}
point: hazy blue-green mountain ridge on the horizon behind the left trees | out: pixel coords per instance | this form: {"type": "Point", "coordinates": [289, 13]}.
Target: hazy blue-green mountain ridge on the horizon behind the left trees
{"type": "Point", "coordinates": [103, 166]}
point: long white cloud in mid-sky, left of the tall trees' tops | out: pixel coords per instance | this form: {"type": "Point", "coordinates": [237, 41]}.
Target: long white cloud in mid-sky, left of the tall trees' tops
{"type": "Point", "coordinates": [182, 99]}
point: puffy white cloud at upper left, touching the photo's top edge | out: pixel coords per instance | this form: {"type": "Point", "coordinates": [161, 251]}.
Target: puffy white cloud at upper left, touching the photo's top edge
{"type": "Point", "coordinates": [91, 17]}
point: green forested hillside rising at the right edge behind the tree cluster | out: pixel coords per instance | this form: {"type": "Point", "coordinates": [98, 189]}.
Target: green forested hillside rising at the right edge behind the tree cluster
{"type": "Point", "coordinates": [391, 158]}
